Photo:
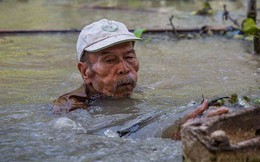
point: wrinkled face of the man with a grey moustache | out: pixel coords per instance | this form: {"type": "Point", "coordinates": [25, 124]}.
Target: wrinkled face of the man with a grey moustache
{"type": "Point", "coordinates": [113, 71]}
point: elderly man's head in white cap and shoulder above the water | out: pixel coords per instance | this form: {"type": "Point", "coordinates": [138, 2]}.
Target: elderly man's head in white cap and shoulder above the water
{"type": "Point", "coordinates": [107, 63]}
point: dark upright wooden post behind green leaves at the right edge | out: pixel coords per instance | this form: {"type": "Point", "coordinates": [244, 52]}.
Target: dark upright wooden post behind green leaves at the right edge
{"type": "Point", "coordinates": [251, 13]}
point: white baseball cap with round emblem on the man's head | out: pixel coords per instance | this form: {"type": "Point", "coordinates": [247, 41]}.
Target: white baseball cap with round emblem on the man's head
{"type": "Point", "coordinates": [102, 34]}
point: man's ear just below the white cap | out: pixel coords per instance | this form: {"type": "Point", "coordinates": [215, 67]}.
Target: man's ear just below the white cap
{"type": "Point", "coordinates": [85, 72]}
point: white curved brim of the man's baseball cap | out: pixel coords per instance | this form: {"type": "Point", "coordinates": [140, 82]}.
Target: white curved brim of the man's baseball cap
{"type": "Point", "coordinates": [110, 42]}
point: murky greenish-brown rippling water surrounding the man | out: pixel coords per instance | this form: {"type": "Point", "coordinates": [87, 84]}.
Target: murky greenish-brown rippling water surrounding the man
{"type": "Point", "coordinates": [35, 69]}
